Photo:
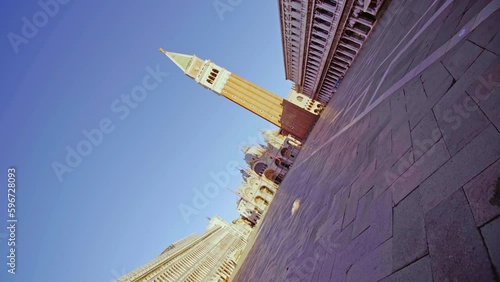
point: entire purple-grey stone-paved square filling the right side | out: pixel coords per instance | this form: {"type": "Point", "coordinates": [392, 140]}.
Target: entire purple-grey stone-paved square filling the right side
{"type": "Point", "coordinates": [400, 178]}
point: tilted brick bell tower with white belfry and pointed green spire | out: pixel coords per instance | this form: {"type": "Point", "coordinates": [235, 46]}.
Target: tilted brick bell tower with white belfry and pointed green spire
{"type": "Point", "coordinates": [292, 119]}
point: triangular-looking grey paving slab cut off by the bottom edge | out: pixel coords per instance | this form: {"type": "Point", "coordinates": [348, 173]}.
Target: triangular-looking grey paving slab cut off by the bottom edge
{"type": "Point", "coordinates": [419, 271]}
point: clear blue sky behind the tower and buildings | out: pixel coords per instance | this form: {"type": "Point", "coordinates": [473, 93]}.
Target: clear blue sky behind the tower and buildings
{"type": "Point", "coordinates": [119, 207]}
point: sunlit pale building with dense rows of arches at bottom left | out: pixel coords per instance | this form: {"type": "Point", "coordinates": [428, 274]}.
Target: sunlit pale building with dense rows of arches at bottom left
{"type": "Point", "coordinates": [210, 256]}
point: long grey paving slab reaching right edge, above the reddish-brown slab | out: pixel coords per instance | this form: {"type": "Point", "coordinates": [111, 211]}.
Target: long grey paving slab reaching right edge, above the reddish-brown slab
{"type": "Point", "coordinates": [465, 165]}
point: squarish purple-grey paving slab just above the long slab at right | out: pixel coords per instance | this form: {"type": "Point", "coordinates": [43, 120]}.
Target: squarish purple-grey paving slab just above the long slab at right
{"type": "Point", "coordinates": [460, 121]}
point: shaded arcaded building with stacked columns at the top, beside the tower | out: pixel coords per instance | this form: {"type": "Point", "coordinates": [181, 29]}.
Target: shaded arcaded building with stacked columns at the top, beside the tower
{"type": "Point", "coordinates": [321, 39]}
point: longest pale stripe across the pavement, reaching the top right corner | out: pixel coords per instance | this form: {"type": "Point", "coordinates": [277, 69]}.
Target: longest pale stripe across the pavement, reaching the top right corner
{"type": "Point", "coordinates": [485, 13]}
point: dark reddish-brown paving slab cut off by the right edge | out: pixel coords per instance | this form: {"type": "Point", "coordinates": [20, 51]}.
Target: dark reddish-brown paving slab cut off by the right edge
{"type": "Point", "coordinates": [483, 193]}
